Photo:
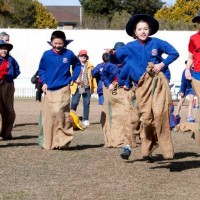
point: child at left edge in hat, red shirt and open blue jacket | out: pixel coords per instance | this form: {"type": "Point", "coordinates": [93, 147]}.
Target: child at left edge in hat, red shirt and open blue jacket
{"type": "Point", "coordinates": [9, 70]}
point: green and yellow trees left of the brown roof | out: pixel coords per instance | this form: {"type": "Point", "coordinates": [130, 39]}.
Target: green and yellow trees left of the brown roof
{"type": "Point", "coordinates": [25, 14]}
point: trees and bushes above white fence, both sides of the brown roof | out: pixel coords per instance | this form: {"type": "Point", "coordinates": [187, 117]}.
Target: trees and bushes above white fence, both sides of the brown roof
{"type": "Point", "coordinates": [101, 14]}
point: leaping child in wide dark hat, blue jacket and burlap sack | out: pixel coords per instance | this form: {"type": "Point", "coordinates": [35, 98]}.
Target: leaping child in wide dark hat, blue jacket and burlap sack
{"type": "Point", "coordinates": [152, 92]}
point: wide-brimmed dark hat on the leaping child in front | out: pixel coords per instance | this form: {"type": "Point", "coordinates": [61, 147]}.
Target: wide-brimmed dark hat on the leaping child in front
{"type": "Point", "coordinates": [136, 18]}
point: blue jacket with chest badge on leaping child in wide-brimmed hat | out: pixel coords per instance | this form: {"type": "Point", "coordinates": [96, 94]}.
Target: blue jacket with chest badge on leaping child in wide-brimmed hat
{"type": "Point", "coordinates": [137, 55]}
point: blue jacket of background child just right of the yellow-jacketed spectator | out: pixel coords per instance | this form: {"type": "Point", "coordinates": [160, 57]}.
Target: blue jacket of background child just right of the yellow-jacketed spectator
{"type": "Point", "coordinates": [97, 73]}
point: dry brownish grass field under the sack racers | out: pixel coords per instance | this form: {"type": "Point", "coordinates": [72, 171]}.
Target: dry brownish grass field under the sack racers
{"type": "Point", "coordinates": [88, 170]}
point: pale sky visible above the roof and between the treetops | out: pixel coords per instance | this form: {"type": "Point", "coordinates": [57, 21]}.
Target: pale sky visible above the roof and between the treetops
{"type": "Point", "coordinates": [77, 3]}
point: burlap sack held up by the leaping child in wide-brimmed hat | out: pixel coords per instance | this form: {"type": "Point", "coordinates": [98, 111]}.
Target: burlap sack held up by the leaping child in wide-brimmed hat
{"type": "Point", "coordinates": [153, 102]}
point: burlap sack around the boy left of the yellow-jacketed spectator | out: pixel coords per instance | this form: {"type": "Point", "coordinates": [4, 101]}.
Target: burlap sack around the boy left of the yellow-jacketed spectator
{"type": "Point", "coordinates": [56, 125]}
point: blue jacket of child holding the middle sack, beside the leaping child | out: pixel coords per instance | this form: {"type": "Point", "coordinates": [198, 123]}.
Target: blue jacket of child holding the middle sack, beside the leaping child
{"type": "Point", "coordinates": [110, 72]}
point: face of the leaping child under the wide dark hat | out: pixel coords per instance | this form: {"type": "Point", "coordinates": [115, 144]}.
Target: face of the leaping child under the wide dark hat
{"type": "Point", "coordinates": [142, 30]}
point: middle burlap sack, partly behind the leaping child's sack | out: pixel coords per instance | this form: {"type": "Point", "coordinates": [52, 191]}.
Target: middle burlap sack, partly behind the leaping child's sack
{"type": "Point", "coordinates": [116, 118]}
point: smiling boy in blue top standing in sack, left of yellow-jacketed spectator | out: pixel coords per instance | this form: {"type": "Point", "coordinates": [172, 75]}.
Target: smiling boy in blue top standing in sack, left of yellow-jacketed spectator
{"type": "Point", "coordinates": [54, 73]}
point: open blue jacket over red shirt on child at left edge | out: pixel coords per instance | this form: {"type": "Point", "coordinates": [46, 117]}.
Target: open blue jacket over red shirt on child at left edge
{"type": "Point", "coordinates": [13, 69]}
